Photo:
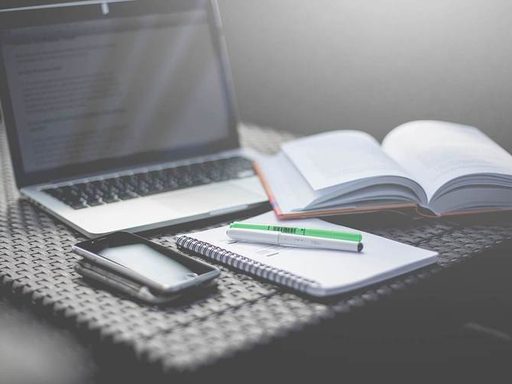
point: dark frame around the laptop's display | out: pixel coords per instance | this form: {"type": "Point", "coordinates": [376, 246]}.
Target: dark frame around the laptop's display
{"type": "Point", "coordinates": [65, 12]}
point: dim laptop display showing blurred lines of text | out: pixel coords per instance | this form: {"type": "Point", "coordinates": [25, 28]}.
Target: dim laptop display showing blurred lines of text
{"type": "Point", "coordinates": [114, 91]}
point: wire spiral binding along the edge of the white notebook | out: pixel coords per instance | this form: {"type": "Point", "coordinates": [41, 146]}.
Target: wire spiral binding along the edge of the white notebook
{"type": "Point", "coordinates": [245, 264]}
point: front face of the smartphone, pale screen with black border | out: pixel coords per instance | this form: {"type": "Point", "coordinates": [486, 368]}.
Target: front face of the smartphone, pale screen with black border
{"type": "Point", "coordinates": [162, 266]}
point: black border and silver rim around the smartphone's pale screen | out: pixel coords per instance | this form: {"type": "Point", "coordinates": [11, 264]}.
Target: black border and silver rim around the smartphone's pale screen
{"type": "Point", "coordinates": [90, 249]}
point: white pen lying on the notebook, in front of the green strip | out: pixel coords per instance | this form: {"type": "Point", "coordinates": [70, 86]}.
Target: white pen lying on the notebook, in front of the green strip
{"type": "Point", "coordinates": [285, 239]}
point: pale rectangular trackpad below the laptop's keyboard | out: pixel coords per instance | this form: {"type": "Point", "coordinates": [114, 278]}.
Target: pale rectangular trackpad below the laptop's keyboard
{"type": "Point", "coordinates": [207, 198]}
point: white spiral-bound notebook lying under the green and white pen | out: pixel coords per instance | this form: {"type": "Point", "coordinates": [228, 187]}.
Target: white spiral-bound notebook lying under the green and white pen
{"type": "Point", "coordinates": [314, 272]}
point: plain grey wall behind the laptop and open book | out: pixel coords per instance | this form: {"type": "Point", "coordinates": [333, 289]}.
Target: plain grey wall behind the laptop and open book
{"type": "Point", "coordinates": [315, 65]}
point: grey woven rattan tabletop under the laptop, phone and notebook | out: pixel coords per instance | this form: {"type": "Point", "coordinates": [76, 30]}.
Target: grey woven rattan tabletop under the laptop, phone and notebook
{"type": "Point", "coordinates": [36, 263]}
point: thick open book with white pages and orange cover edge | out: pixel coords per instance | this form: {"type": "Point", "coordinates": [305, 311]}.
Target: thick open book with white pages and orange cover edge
{"type": "Point", "coordinates": [443, 167]}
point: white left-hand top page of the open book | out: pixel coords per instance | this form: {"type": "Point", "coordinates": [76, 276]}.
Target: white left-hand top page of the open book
{"type": "Point", "coordinates": [334, 158]}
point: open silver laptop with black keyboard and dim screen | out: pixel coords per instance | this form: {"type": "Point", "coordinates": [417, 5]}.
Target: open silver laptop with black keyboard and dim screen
{"type": "Point", "coordinates": [120, 114]}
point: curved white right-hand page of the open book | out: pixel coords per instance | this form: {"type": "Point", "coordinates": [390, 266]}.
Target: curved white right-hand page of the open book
{"type": "Point", "coordinates": [435, 152]}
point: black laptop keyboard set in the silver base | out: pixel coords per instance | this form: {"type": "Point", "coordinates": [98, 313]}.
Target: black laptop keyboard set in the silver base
{"type": "Point", "coordinates": [106, 191]}
